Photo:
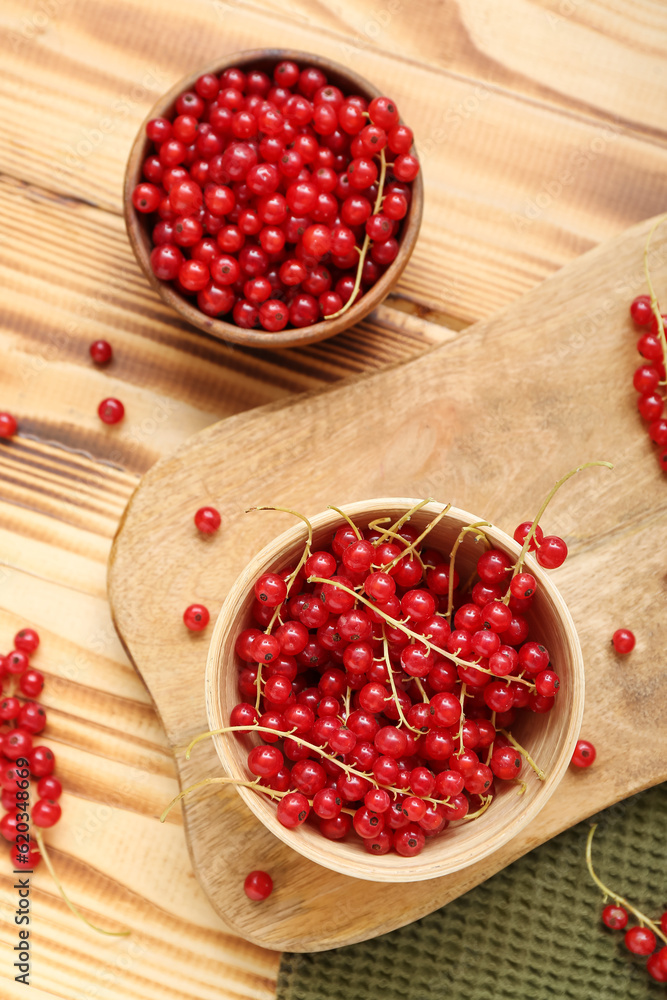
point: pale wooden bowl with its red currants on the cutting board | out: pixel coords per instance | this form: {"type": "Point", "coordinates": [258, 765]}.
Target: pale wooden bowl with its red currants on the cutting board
{"type": "Point", "coordinates": [396, 687]}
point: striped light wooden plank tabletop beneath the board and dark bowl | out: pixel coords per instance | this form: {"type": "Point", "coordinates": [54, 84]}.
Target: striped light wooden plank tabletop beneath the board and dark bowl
{"type": "Point", "coordinates": [541, 129]}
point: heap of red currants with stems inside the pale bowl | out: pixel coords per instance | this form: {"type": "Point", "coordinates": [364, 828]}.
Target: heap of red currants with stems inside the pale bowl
{"type": "Point", "coordinates": [382, 689]}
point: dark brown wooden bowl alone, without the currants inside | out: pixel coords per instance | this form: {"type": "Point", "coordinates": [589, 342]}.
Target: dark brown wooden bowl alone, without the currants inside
{"type": "Point", "coordinates": [139, 228]}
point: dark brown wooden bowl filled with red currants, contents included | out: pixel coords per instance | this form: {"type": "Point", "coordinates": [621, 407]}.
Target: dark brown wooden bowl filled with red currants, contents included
{"type": "Point", "coordinates": [274, 198]}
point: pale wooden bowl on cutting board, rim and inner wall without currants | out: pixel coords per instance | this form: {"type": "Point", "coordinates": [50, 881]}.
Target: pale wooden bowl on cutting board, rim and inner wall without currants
{"type": "Point", "coordinates": [550, 738]}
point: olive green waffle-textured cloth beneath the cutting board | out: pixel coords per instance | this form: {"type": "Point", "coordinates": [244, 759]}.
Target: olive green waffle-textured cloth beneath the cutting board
{"type": "Point", "coordinates": [532, 932]}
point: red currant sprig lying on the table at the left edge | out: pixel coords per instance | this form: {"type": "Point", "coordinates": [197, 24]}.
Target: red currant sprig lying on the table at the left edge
{"type": "Point", "coordinates": [21, 719]}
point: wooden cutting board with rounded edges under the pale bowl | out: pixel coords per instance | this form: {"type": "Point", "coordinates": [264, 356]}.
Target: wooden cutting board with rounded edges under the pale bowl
{"type": "Point", "coordinates": [488, 421]}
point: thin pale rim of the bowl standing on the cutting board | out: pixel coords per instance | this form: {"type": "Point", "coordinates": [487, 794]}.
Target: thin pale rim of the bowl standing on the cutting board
{"type": "Point", "coordinates": [408, 869]}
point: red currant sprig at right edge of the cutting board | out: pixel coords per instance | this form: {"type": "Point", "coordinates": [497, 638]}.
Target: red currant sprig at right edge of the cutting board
{"type": "Point", "coordinates": [650, 376]}
